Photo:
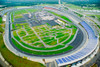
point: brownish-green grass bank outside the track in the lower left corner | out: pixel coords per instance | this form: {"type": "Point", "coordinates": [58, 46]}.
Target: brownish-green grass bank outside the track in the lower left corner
{"type": "Point", "coordinates": [14, 60]}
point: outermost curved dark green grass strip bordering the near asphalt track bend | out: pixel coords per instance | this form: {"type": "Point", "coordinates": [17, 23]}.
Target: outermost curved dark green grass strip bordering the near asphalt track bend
{"type": "Point", "coordinates": [39, 52]}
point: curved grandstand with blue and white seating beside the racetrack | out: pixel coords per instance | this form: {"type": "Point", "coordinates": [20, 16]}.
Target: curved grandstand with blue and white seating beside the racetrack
{"type": "Point", "coordinates": [87, 50]}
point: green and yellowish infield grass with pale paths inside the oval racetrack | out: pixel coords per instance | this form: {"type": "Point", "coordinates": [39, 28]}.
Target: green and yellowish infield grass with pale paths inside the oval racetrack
{"type": "Point", "coordinates": [38, 39]}
